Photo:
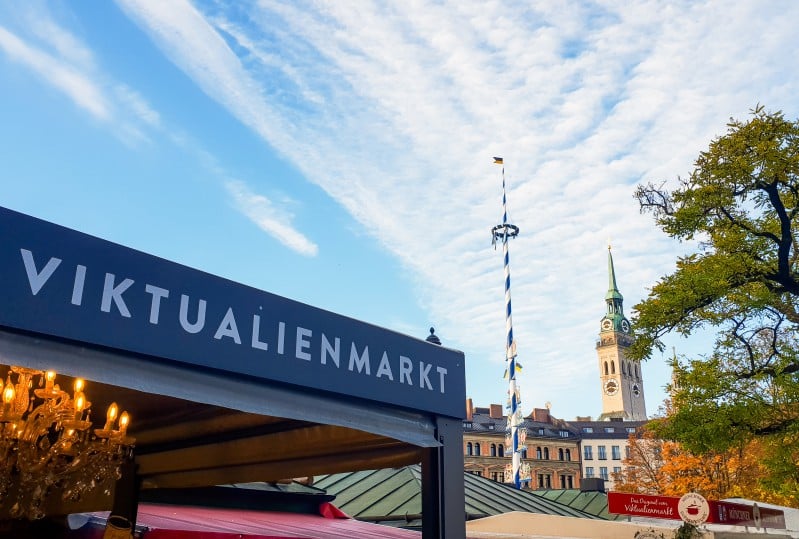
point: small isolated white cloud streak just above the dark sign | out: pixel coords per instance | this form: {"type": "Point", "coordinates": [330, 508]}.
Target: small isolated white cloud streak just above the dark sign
{"type": "Point", "coordinates": [272, 220]}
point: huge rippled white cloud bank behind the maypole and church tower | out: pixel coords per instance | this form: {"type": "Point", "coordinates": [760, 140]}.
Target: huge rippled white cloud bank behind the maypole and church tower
{"type": "Point", "coordinates": [396, 109]}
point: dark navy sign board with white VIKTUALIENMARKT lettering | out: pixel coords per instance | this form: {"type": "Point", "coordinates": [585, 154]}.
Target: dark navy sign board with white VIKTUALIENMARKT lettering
{"type": "Point", "coordinates": [59, 282]}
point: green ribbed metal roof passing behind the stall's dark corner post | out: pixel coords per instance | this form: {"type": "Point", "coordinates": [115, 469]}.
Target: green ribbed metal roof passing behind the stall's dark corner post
{"type": "Point", "coordinates": [397, 493]}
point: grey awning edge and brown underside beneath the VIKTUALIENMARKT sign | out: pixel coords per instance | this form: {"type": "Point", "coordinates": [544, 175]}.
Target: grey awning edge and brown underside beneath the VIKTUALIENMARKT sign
{"type": "Point", "coordinates": [198, 428]}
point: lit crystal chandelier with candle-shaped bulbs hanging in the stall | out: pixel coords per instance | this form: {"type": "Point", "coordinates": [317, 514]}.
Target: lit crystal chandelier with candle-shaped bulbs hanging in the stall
{"type": "Point", "coordinates": [47, 445]}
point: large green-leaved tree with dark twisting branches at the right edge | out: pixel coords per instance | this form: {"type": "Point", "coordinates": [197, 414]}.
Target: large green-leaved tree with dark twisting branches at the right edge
{"type": "Point", "coordinates": [741, 205]}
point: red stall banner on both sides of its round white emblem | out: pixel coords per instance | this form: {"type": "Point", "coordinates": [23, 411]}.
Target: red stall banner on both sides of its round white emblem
{"type": "Point", "coordinates": [737, 514]}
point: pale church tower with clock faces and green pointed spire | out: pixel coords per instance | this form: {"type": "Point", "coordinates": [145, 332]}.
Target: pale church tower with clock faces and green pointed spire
{"type": "Point", "coordinates": [622, 384]}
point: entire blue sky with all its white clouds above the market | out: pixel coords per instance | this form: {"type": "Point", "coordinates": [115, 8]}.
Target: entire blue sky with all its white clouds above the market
{"type": "Point", "coordinates": [340, 153]}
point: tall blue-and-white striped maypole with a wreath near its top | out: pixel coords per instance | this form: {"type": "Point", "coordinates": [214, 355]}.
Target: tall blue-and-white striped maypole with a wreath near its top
{"type": "Point", "coordinates": [504, 232]}
